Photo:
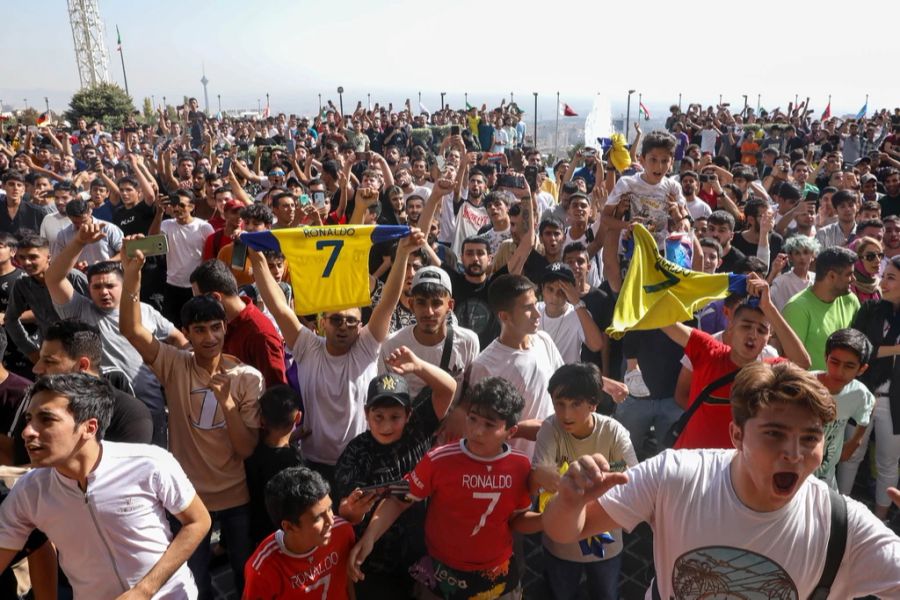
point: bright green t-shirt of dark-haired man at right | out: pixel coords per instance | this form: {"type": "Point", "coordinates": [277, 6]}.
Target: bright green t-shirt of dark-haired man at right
{"type": "Point", "coordinates": [813, 321]}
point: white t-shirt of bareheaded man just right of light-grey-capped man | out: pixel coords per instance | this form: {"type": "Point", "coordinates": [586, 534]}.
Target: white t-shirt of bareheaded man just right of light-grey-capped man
{"type": "Point", "coordinates": [528, 370]}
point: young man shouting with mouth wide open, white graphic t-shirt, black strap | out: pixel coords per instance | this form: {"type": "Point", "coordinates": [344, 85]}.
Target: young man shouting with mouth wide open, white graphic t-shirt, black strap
{"type": "Point", "coordinates": [753, 516]}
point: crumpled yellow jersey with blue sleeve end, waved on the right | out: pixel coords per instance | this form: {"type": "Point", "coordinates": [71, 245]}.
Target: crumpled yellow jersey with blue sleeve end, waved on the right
{"type": "Point", "coordinates": [657, 292]}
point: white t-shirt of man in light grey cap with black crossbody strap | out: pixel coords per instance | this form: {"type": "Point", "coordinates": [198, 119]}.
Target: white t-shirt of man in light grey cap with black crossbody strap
{"type": "Point", "coordinates": [465, 349]}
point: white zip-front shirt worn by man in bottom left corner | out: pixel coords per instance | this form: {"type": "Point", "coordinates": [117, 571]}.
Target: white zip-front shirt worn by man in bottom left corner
{"type": "Point", "coordinates": [112, 535]}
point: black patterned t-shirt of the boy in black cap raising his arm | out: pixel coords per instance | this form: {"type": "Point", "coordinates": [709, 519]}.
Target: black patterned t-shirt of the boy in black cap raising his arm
{"type": "Point", "coordinates": [365, 462]}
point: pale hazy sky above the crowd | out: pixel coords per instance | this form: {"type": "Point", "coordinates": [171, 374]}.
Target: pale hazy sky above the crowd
{"type": "Point", "coordinates": [295, 50]}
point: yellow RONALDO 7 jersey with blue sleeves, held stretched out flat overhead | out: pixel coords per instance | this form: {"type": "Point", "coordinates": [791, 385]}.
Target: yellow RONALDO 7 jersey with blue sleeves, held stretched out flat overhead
{"type": "Point", "coordinates": [329, 264]}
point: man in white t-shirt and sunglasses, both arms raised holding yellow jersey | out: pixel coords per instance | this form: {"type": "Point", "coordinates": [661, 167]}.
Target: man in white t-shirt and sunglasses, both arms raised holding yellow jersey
{"type": "Point", "coordinates": [334, 371]}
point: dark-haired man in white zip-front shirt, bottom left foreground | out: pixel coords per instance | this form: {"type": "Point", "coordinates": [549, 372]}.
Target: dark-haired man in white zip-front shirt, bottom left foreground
{"type": "Point", "coordinates": [102, 504]}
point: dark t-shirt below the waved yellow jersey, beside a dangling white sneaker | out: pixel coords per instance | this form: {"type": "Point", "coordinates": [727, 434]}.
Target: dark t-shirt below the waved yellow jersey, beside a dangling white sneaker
{"type": "Point", "coordinates": [659, 359]}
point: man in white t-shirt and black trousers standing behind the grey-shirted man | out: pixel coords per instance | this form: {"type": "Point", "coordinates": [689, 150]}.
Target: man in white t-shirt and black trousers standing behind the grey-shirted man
{"type": "Point", "coordinates": [186, 236]}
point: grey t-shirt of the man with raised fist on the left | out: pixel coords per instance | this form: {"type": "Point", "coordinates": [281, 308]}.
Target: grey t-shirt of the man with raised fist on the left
{"type": "Point", "coordinates": [118, 351]}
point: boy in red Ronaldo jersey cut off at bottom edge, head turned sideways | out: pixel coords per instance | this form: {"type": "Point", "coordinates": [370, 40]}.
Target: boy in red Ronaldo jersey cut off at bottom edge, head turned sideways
{"type": "Point", "coordinates": [307, 557]}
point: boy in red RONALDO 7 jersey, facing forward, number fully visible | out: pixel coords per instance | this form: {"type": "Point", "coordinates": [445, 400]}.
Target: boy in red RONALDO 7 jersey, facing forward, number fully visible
{"type": "Point", "coordinates": [478, 495]}
